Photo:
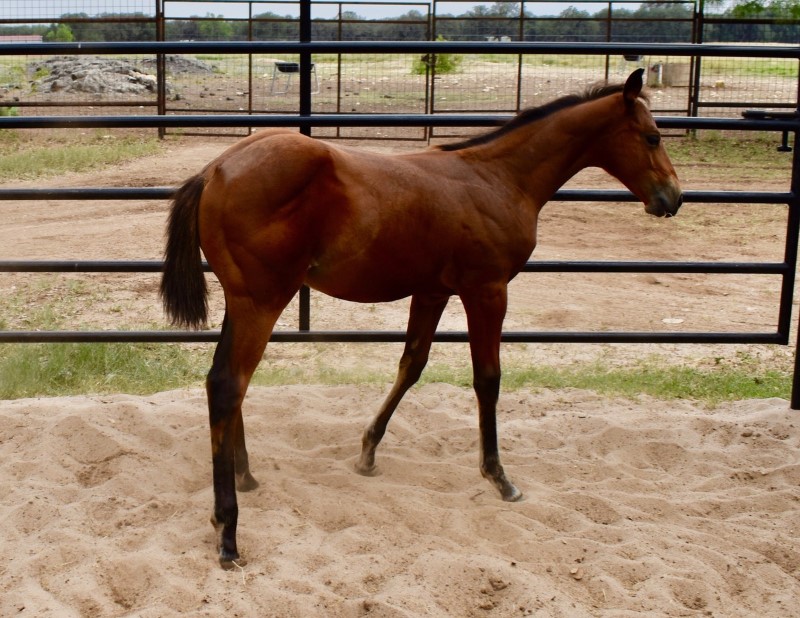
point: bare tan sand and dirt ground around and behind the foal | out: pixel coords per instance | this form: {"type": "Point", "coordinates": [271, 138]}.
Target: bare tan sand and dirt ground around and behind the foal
{"type": "Point", "coordinates": [633, 507]}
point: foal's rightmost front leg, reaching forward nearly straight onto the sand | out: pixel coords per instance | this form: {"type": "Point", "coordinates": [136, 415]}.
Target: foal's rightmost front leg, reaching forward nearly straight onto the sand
{"type": "Point", "coordinates": [486, 309]}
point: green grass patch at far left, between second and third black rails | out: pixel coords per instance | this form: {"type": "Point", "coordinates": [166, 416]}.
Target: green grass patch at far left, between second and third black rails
{"type": "Point", "coordinates": [22, 158]}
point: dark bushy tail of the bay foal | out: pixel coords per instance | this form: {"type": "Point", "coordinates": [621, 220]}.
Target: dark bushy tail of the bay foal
{"type": "Point", "coordinates": [183, 284]}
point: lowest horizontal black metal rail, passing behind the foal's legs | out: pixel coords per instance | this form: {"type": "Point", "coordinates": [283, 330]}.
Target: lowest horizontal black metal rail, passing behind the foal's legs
{"type": "Point", "coordinates": [211, 336]}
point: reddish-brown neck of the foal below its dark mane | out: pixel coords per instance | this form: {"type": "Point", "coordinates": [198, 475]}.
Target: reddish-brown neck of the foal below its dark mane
{"type": "Point", "coordinates": [542, 156]}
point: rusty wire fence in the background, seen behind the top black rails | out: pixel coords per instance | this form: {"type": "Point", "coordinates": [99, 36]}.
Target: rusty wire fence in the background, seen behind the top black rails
{"type": "Point", "coordinates": [387, 83]}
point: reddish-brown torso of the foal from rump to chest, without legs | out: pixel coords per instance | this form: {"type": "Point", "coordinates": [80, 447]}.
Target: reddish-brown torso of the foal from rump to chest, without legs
{"type": "Point", "coordinates": [358, 225]}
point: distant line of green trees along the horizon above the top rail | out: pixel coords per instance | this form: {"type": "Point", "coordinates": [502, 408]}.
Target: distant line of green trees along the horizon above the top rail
{"type": "Point", "coordinates": [757, 21]}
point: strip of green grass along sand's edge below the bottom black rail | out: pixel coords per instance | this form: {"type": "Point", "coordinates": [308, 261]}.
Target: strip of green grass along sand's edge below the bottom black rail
{"type": "Point", "coordinates": [43, 370]}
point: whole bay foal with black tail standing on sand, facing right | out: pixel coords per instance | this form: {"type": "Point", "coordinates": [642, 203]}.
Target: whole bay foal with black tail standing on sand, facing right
{"type": "Point", "coordinates": [278, 210]}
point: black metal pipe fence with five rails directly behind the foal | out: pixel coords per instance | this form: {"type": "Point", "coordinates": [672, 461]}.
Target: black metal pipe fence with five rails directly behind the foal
{"type": "Point", "coordinates": [786, 124]}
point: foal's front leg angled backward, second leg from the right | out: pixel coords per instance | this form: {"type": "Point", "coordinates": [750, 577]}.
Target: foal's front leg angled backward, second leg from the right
{"type": "Point", "coordinates": [423, 318]}
